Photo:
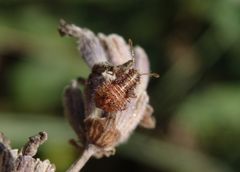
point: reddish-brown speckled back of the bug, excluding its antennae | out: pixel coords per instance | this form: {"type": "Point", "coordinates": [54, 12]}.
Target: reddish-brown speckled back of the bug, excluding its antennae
{"type": "Point", "coordinates": [114, 95]}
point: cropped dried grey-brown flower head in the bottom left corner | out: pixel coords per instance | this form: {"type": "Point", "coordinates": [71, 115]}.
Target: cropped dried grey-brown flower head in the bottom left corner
{"type": "Point", "coordinates": [12, 160]}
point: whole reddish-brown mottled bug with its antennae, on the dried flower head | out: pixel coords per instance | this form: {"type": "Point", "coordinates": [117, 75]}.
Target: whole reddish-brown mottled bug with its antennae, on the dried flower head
{"type": "Point", "coordinates": [113, 95]}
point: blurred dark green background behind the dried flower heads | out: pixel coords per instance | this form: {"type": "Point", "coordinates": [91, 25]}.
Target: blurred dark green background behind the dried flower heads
{"type": "Point", "coordinates": [193, 44]}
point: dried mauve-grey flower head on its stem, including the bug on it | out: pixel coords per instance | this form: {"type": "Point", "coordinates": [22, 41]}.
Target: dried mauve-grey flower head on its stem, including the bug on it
{"type": "Point", "coordinates": [114, 100]}
